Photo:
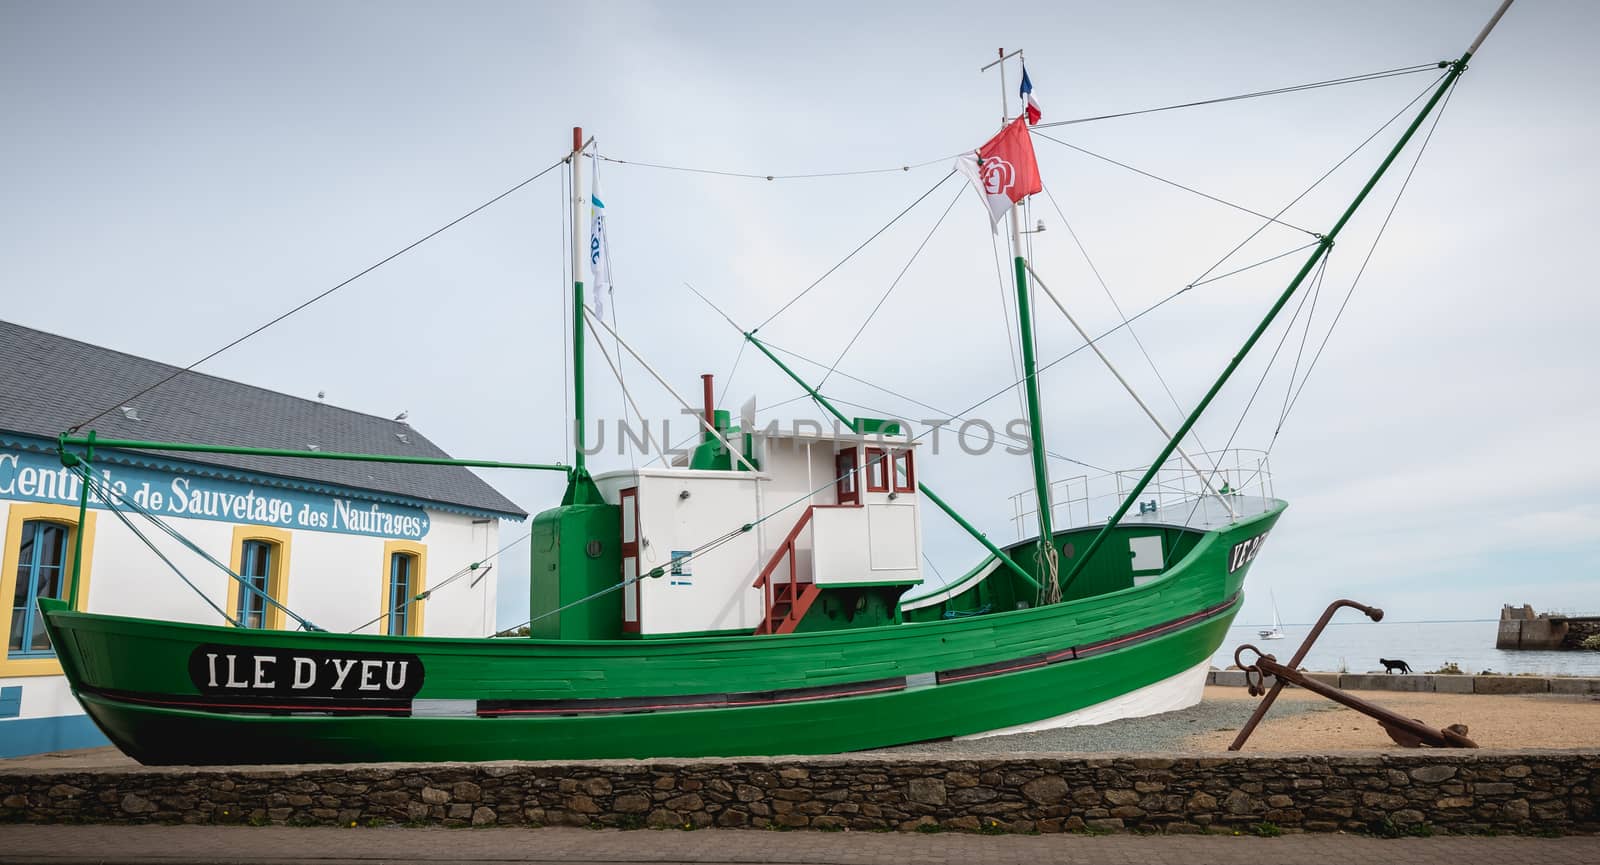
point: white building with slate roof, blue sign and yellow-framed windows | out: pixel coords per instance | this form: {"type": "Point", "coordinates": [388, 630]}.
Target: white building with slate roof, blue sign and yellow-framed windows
{"type": "Point", "coordinates": [343, 544]}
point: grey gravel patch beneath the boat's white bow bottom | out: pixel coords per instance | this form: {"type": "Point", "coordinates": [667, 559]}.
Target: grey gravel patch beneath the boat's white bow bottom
{"type": "Point", "coordinates": [1156, 733]}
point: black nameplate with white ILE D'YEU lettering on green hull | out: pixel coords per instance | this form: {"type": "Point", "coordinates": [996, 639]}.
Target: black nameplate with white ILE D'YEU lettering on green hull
{"type": "Point", "coordinates": [305, 672]}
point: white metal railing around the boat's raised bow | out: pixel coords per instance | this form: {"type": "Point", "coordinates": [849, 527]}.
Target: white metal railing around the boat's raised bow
{"type": "Point", "coordinates": [1177, 495]}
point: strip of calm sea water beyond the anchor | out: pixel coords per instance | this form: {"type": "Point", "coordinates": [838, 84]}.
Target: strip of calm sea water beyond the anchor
{"type": "Point", "coordinates": [1426, 647]}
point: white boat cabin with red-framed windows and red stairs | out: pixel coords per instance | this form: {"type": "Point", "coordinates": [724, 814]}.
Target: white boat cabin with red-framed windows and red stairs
{"type": "Point", "coordinates": [830, 512]}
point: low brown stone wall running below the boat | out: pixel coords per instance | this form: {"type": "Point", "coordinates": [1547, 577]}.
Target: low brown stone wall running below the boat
{"type": "Point", "coordinates": [1385, 794]}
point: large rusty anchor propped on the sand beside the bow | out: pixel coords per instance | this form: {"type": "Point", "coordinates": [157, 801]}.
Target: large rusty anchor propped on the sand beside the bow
{"type": "Point", "coordinates": [1407, 733]}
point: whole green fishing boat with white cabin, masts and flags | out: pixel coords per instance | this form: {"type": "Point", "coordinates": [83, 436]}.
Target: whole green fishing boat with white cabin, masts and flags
{"type": "Point", "coordinates": [766, 597]}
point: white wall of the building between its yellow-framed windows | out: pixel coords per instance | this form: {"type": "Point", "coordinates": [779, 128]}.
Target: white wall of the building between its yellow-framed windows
{"type": "Point", "coordinates": [337, 581]}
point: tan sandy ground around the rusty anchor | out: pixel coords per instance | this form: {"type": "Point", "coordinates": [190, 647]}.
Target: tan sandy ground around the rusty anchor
{"type": "Point", "coordinates": [1494, 722]}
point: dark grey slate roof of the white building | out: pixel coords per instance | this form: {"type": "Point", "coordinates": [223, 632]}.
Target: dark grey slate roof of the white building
{"type": "Point", "coordinates": [50, 383]}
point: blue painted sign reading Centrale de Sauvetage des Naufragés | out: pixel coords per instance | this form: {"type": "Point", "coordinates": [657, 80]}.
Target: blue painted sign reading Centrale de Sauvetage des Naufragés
{"type": "Point", "coordinates": [31, 477]}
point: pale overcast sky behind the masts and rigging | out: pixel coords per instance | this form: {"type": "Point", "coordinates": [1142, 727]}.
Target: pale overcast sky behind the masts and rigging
{"type": "Point", "coordinates": [178, 173]}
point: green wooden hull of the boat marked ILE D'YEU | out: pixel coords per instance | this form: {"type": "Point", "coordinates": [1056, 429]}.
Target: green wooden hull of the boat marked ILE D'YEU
{"type": "Point", "coordinates": [146, 682]}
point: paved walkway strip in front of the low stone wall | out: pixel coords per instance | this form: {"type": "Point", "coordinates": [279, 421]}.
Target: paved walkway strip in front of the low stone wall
{"type": "Point", "coordinates": [332, 847]}
